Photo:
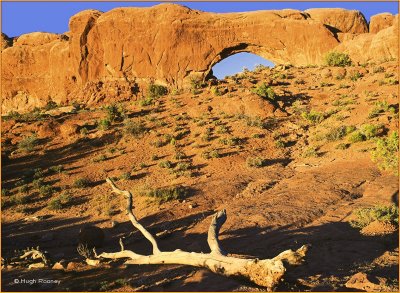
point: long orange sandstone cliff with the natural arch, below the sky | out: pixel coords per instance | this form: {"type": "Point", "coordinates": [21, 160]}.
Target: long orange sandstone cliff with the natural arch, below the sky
{"type": "Point", "coordinates": [104, 56]}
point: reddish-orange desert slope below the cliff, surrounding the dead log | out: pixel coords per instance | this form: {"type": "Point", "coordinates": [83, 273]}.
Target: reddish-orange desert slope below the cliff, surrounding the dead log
{"type": "Point", "coordinates": [309, 183]}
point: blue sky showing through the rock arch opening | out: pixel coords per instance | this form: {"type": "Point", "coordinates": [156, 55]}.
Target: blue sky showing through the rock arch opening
{"type": "Point", "coordinates": [236, 63]}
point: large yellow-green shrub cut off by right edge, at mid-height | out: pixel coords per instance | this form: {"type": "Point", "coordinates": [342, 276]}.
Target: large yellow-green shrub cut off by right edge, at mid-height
{"type": "Point", "coordinates": [386, 153]}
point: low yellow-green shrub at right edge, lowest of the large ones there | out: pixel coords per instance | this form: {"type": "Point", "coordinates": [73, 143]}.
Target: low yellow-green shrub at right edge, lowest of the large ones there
{"type": "Point", "coordinates": [365, 216]}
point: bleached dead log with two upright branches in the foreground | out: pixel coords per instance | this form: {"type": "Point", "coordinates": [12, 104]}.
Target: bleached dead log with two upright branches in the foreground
{"type": "Point", "coordinates": [266, 272]}
